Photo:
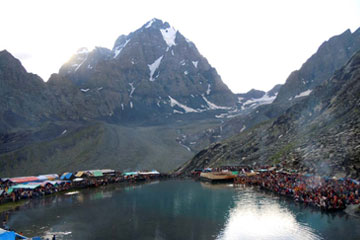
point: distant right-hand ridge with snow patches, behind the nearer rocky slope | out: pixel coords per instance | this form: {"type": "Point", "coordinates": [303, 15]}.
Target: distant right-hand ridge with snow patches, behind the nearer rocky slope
{"type": "Point", "coordinates": [330, 56]}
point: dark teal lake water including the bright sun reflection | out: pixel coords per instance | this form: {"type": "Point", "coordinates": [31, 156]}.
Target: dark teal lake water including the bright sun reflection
{"type": "Point", "coordinates": [178, 209]}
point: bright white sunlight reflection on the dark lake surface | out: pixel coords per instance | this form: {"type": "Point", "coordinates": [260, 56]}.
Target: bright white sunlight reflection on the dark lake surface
{"type": "Point", "coordinates": [255, 217]}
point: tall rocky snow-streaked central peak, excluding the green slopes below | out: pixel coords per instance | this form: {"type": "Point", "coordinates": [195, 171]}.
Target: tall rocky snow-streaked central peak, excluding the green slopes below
{"type": "Point", "coordinates": [151, 74]}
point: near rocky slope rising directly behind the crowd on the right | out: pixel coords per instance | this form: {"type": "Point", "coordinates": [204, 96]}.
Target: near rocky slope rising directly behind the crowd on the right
{"type": "Point", "coordinates": [319, 134]}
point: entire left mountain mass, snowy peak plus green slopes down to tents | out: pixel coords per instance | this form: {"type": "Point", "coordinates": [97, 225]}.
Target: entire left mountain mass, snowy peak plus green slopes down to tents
{"type": "Point", "coordinates": [127, 108]}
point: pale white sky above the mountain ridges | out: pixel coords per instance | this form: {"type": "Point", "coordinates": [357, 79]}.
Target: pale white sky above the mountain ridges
{"type": "Point", "coordinates": [252, 44]}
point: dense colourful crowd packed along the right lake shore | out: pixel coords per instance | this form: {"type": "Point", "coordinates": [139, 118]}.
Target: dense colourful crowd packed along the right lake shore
{"type": "Point", "coordinates": [325, 193]}
